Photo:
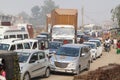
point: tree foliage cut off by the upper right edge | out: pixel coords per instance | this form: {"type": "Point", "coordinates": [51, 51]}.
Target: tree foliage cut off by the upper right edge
{"type": "Point", "coordinates": [116, 14]}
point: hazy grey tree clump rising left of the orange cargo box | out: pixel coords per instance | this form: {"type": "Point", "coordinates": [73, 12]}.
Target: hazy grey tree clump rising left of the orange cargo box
{"type": "Point", "coordinates": [39, 13]}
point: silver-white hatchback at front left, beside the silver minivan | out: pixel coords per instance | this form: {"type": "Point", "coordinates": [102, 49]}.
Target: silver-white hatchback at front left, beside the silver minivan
{"type": "Point", "coordinates": [33, 63]}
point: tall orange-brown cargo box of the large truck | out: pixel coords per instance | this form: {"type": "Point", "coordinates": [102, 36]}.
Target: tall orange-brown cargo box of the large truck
{"type": "Point", "coordinates": [64, 17]}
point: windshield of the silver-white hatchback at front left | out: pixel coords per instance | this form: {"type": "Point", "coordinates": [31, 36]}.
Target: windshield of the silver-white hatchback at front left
{"type": "Point", "coordinates": [23, 57]}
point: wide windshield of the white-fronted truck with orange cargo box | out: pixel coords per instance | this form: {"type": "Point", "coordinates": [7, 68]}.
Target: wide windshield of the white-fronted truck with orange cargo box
{"type": "Point", "coordinates": [63, 31]}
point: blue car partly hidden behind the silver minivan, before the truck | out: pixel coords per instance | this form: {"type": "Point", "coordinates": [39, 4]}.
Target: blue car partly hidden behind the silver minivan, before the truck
{"type": "Point", "coordinates": [54, 45]}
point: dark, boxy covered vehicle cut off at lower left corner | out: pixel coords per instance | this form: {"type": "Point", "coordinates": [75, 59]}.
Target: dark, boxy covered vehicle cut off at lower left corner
{"type": "Point", "coordinates": [9, 60]}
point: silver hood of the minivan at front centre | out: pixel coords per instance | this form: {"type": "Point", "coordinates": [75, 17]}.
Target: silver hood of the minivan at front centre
{"type": "Point", "coordinates": [61, 58]}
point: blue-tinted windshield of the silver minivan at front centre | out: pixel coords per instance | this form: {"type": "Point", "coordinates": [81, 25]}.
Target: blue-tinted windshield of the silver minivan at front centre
{"type": "Point", "coordinates": [68, 51]}
